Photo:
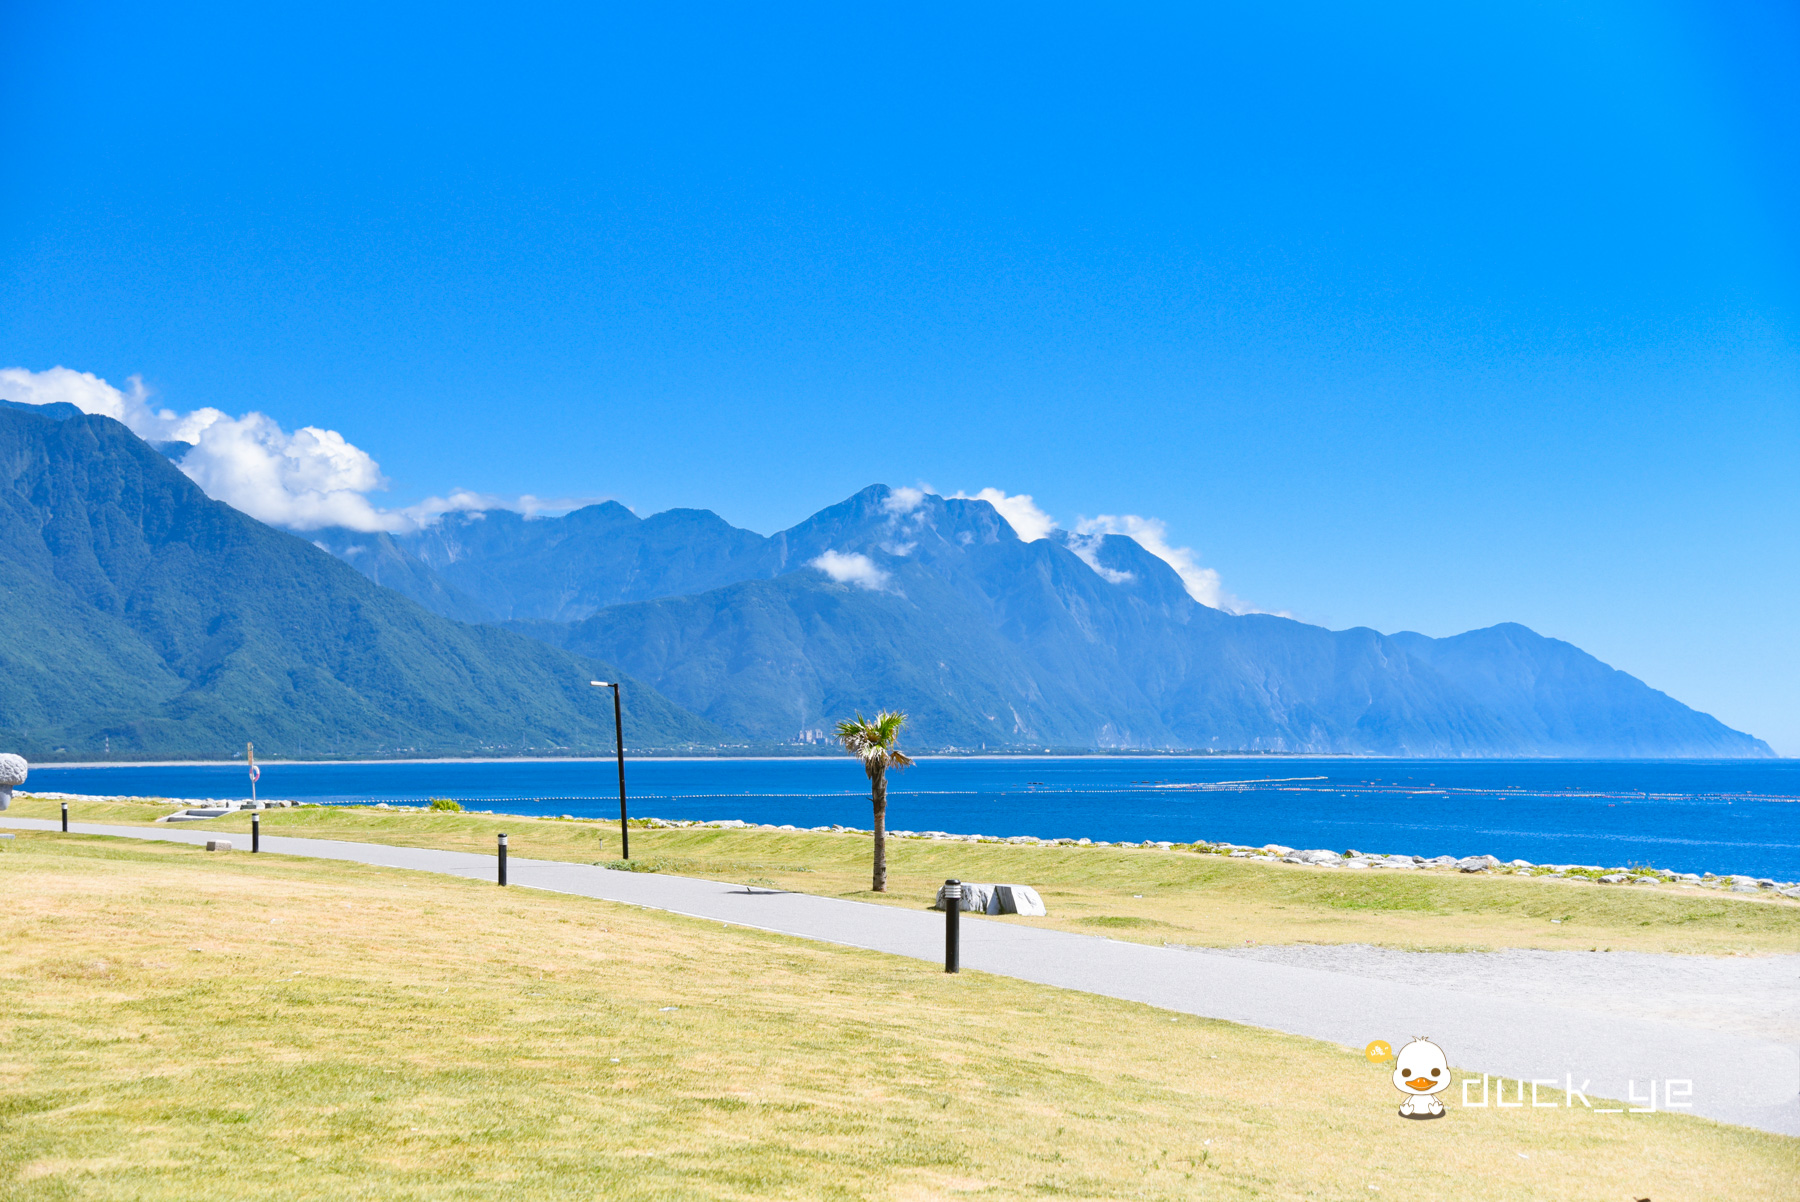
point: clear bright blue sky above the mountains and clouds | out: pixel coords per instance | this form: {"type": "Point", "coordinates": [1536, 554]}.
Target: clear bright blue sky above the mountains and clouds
{"type": "Point", "coordinates": [1394, 316]}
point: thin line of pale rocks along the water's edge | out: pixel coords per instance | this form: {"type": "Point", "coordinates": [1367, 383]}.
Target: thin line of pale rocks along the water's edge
{"type": "Point", "coordinates": [1318, 857]}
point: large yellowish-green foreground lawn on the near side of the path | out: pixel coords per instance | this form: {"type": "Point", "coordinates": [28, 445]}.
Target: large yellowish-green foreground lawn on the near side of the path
{"type": "Point", "coordinates": [186, 1025]}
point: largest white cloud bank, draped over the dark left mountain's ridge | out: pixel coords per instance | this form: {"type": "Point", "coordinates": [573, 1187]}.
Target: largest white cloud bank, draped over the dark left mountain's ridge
{"type": "Point", "coordinates": [305, 481]}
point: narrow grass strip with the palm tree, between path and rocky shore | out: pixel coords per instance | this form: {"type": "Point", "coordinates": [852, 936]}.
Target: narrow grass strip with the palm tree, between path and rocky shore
{"type": "Point", "coordinates": [1128, 893]}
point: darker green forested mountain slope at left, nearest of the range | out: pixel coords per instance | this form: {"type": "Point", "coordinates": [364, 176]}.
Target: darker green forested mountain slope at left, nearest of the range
{"type": "Point", "coordinates": [139, 614]}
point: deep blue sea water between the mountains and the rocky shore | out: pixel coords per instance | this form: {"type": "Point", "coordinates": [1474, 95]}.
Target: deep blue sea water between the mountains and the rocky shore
{"type": "Point", "coordinates": [1686, 816]}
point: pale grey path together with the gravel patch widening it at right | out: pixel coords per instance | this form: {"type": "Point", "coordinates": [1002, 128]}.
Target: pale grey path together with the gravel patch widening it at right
{"type": "Point", "coordinates": [1624, 1025]}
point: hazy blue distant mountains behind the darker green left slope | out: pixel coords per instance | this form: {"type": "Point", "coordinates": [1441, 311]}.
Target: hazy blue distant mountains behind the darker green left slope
{"type": "Point", "coordinates": [940, 609]}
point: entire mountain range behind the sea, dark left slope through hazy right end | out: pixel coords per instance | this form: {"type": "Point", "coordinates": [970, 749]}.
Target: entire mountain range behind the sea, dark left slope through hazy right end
{"type": "Point", "coordinates": [141, 618]}
